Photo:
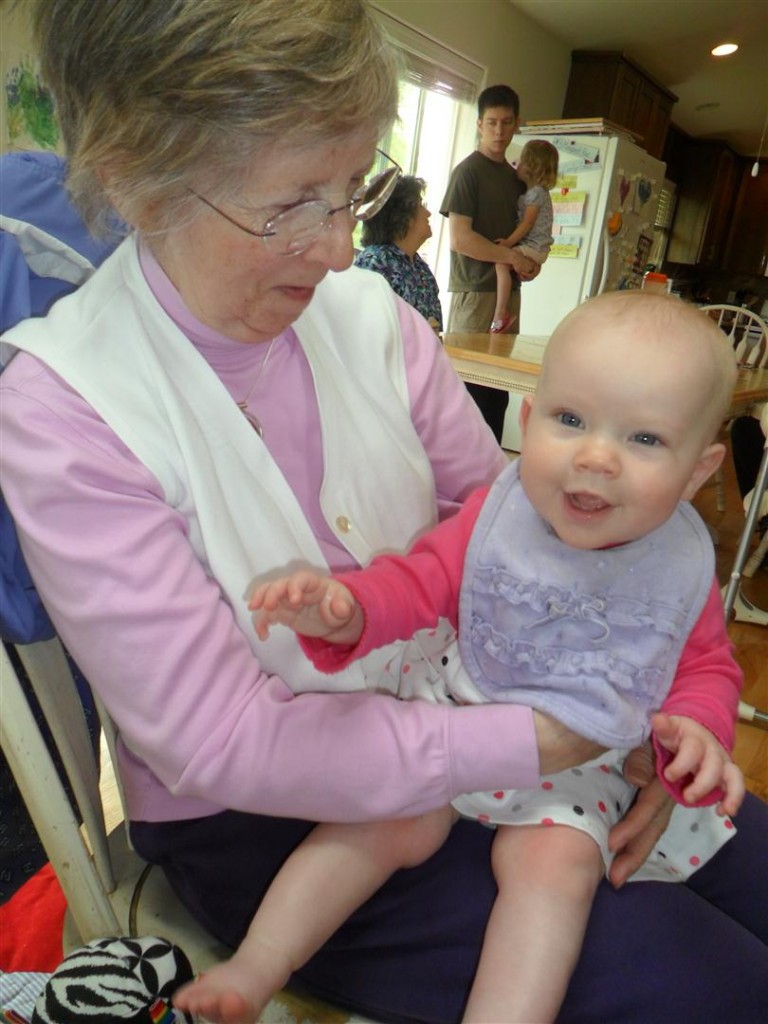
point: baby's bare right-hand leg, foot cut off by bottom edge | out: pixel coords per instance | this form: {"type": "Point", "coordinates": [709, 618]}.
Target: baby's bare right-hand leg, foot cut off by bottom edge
{"type": "Point", "coordinates": [547, 879]}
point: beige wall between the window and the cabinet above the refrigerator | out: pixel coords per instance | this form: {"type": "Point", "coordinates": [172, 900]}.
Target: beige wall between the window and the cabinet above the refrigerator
{"type": "Point", "coordinates": [494, 34]}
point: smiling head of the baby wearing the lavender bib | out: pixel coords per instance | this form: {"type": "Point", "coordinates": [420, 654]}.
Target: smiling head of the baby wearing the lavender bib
{"type": "Point", "coordinates": [616, 436]}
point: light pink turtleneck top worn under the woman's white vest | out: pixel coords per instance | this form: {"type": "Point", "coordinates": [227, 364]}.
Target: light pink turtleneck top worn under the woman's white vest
{"type": "Point", "coordinates": [203, 728]}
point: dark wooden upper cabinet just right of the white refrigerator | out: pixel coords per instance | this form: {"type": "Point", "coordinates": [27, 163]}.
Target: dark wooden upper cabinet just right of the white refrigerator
{"type": "Point", "coordinates": [707, 184]}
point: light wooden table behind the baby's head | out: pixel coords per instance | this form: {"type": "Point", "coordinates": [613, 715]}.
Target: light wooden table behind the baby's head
{"type": "Point", "coordinates": [514, 362]}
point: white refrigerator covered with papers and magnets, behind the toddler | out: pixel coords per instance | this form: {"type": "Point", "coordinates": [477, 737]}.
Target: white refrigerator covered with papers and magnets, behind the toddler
{"type": "Point", "coordinates": [606, 205]}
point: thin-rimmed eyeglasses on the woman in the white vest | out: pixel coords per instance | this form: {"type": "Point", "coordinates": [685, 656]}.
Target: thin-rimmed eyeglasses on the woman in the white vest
{"type": "Point", "coordinates": [295, 230]}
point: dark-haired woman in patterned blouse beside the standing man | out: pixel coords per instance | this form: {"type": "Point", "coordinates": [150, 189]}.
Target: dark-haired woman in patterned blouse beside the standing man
{"type": "Point", "coordinates": [393, 239]}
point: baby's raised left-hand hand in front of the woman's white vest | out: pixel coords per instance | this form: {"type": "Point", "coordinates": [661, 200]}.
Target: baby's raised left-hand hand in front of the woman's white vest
{"type": "Point", "coordinates": [312, 605]}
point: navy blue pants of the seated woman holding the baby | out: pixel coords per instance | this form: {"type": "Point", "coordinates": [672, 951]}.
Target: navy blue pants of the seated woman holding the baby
{"type": "Point", "coordinates": [660, 953]}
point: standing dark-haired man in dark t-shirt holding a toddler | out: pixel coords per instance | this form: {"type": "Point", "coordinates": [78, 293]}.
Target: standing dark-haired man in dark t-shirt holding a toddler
{"type": "Point", "coordinates": [482, 206]}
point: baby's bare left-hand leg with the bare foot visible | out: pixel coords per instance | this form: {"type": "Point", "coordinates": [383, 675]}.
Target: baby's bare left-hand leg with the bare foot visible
{"type": "Point", "coordinates": [327, 878]}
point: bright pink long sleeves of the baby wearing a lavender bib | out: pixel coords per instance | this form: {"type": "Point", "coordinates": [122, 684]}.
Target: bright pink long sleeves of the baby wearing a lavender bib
{"type": "Point", "coordinates": [401, 595]}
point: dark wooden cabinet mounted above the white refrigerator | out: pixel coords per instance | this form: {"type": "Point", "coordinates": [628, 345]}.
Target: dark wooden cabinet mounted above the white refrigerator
{"type": "Point", "coordinates": [608, 84]}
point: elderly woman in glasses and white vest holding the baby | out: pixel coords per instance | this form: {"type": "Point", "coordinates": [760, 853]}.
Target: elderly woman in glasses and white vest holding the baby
{"type": "Point", "coordinates": [214, 405]}
